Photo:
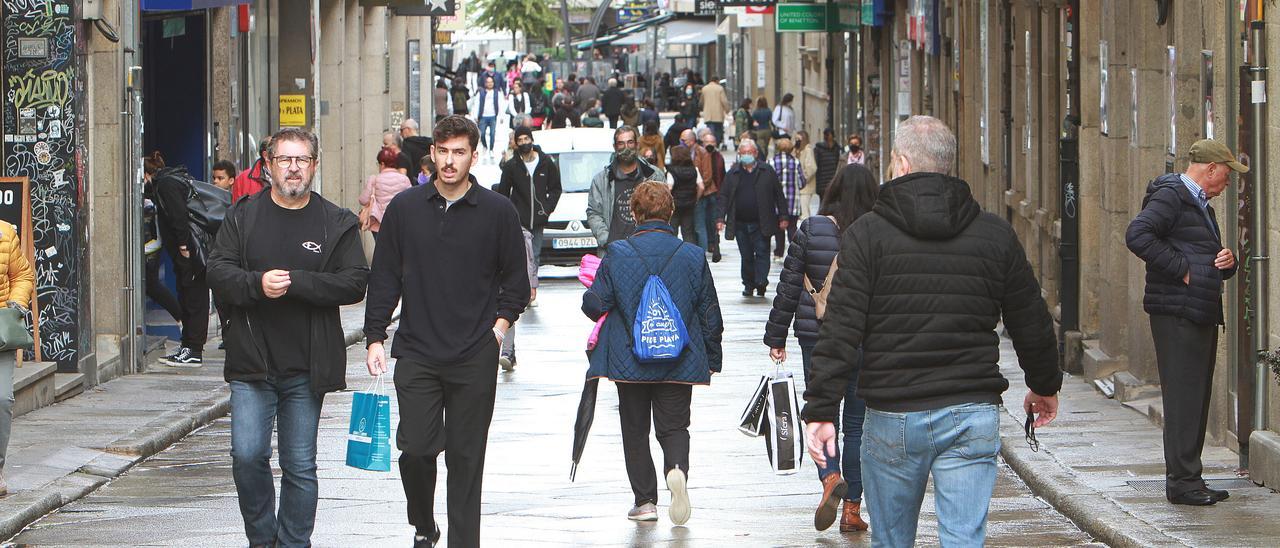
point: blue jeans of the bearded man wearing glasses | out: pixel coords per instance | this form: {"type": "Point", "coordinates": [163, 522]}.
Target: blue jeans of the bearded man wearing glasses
{"type": "Point", "coordinates": [295, 410]}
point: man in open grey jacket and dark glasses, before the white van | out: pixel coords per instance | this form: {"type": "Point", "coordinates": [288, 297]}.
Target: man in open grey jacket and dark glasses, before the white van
{"type": "Point", "coordinates": [609, 205]}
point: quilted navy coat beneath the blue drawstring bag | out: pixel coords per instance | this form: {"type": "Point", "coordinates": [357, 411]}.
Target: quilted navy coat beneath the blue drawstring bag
{"type": "Point", "coordinates": [618, 289]}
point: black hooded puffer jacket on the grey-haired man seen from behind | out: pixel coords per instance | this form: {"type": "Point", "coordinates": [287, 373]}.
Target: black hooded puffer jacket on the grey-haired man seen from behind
{"type": "Point", "coordinates": [922, 284]}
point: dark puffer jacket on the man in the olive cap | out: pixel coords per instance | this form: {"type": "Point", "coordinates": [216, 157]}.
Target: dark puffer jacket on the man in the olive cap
{"type": "Point", "coordinates": [1173, 236]}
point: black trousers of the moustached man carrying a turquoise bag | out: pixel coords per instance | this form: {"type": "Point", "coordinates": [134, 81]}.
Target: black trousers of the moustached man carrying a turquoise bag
{"type": "Point", "coordinates": [427, 394]}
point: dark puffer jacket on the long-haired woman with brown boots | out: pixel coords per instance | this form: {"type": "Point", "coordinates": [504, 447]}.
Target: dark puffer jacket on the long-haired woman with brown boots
{"type": "Point", "coordinates": [811, 254]}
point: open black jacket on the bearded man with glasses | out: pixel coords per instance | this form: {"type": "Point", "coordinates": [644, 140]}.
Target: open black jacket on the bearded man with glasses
{"type": "Point", "coordinates": [342, 282]}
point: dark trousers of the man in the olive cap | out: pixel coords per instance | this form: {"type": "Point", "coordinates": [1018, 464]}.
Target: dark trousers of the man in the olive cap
{"type": "Point", "coordinates": [1186, 353]}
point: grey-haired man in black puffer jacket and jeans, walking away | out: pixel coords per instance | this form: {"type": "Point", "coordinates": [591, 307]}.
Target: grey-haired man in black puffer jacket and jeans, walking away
{"type": "Point", "coordinates": [924, 281]}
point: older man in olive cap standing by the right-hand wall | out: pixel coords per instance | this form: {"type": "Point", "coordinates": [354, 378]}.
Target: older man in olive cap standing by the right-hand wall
{"type": "Point", "coordinates": [1178, 238]}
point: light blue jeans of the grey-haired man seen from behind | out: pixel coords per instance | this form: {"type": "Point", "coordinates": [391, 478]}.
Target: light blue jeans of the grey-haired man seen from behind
{"type": "Point", "coordinates": [958, 445]}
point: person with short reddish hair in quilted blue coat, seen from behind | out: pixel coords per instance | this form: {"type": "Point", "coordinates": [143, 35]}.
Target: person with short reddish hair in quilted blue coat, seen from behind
{"type": "Point", "coordinates": [664, 391]}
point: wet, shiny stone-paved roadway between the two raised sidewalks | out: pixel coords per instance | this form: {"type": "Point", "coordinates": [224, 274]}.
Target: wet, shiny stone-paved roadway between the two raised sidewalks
{"type": "Point", "coordinates": [185, 496]}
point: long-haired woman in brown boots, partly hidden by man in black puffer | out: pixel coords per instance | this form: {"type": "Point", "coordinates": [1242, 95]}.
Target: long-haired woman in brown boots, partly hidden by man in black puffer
{"type": "Point", "coordinates": [801, 303]}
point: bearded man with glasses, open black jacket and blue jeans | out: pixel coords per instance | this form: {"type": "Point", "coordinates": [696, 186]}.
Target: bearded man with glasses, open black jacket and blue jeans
{"type": "Point", "coordinates": [284, 263]}
